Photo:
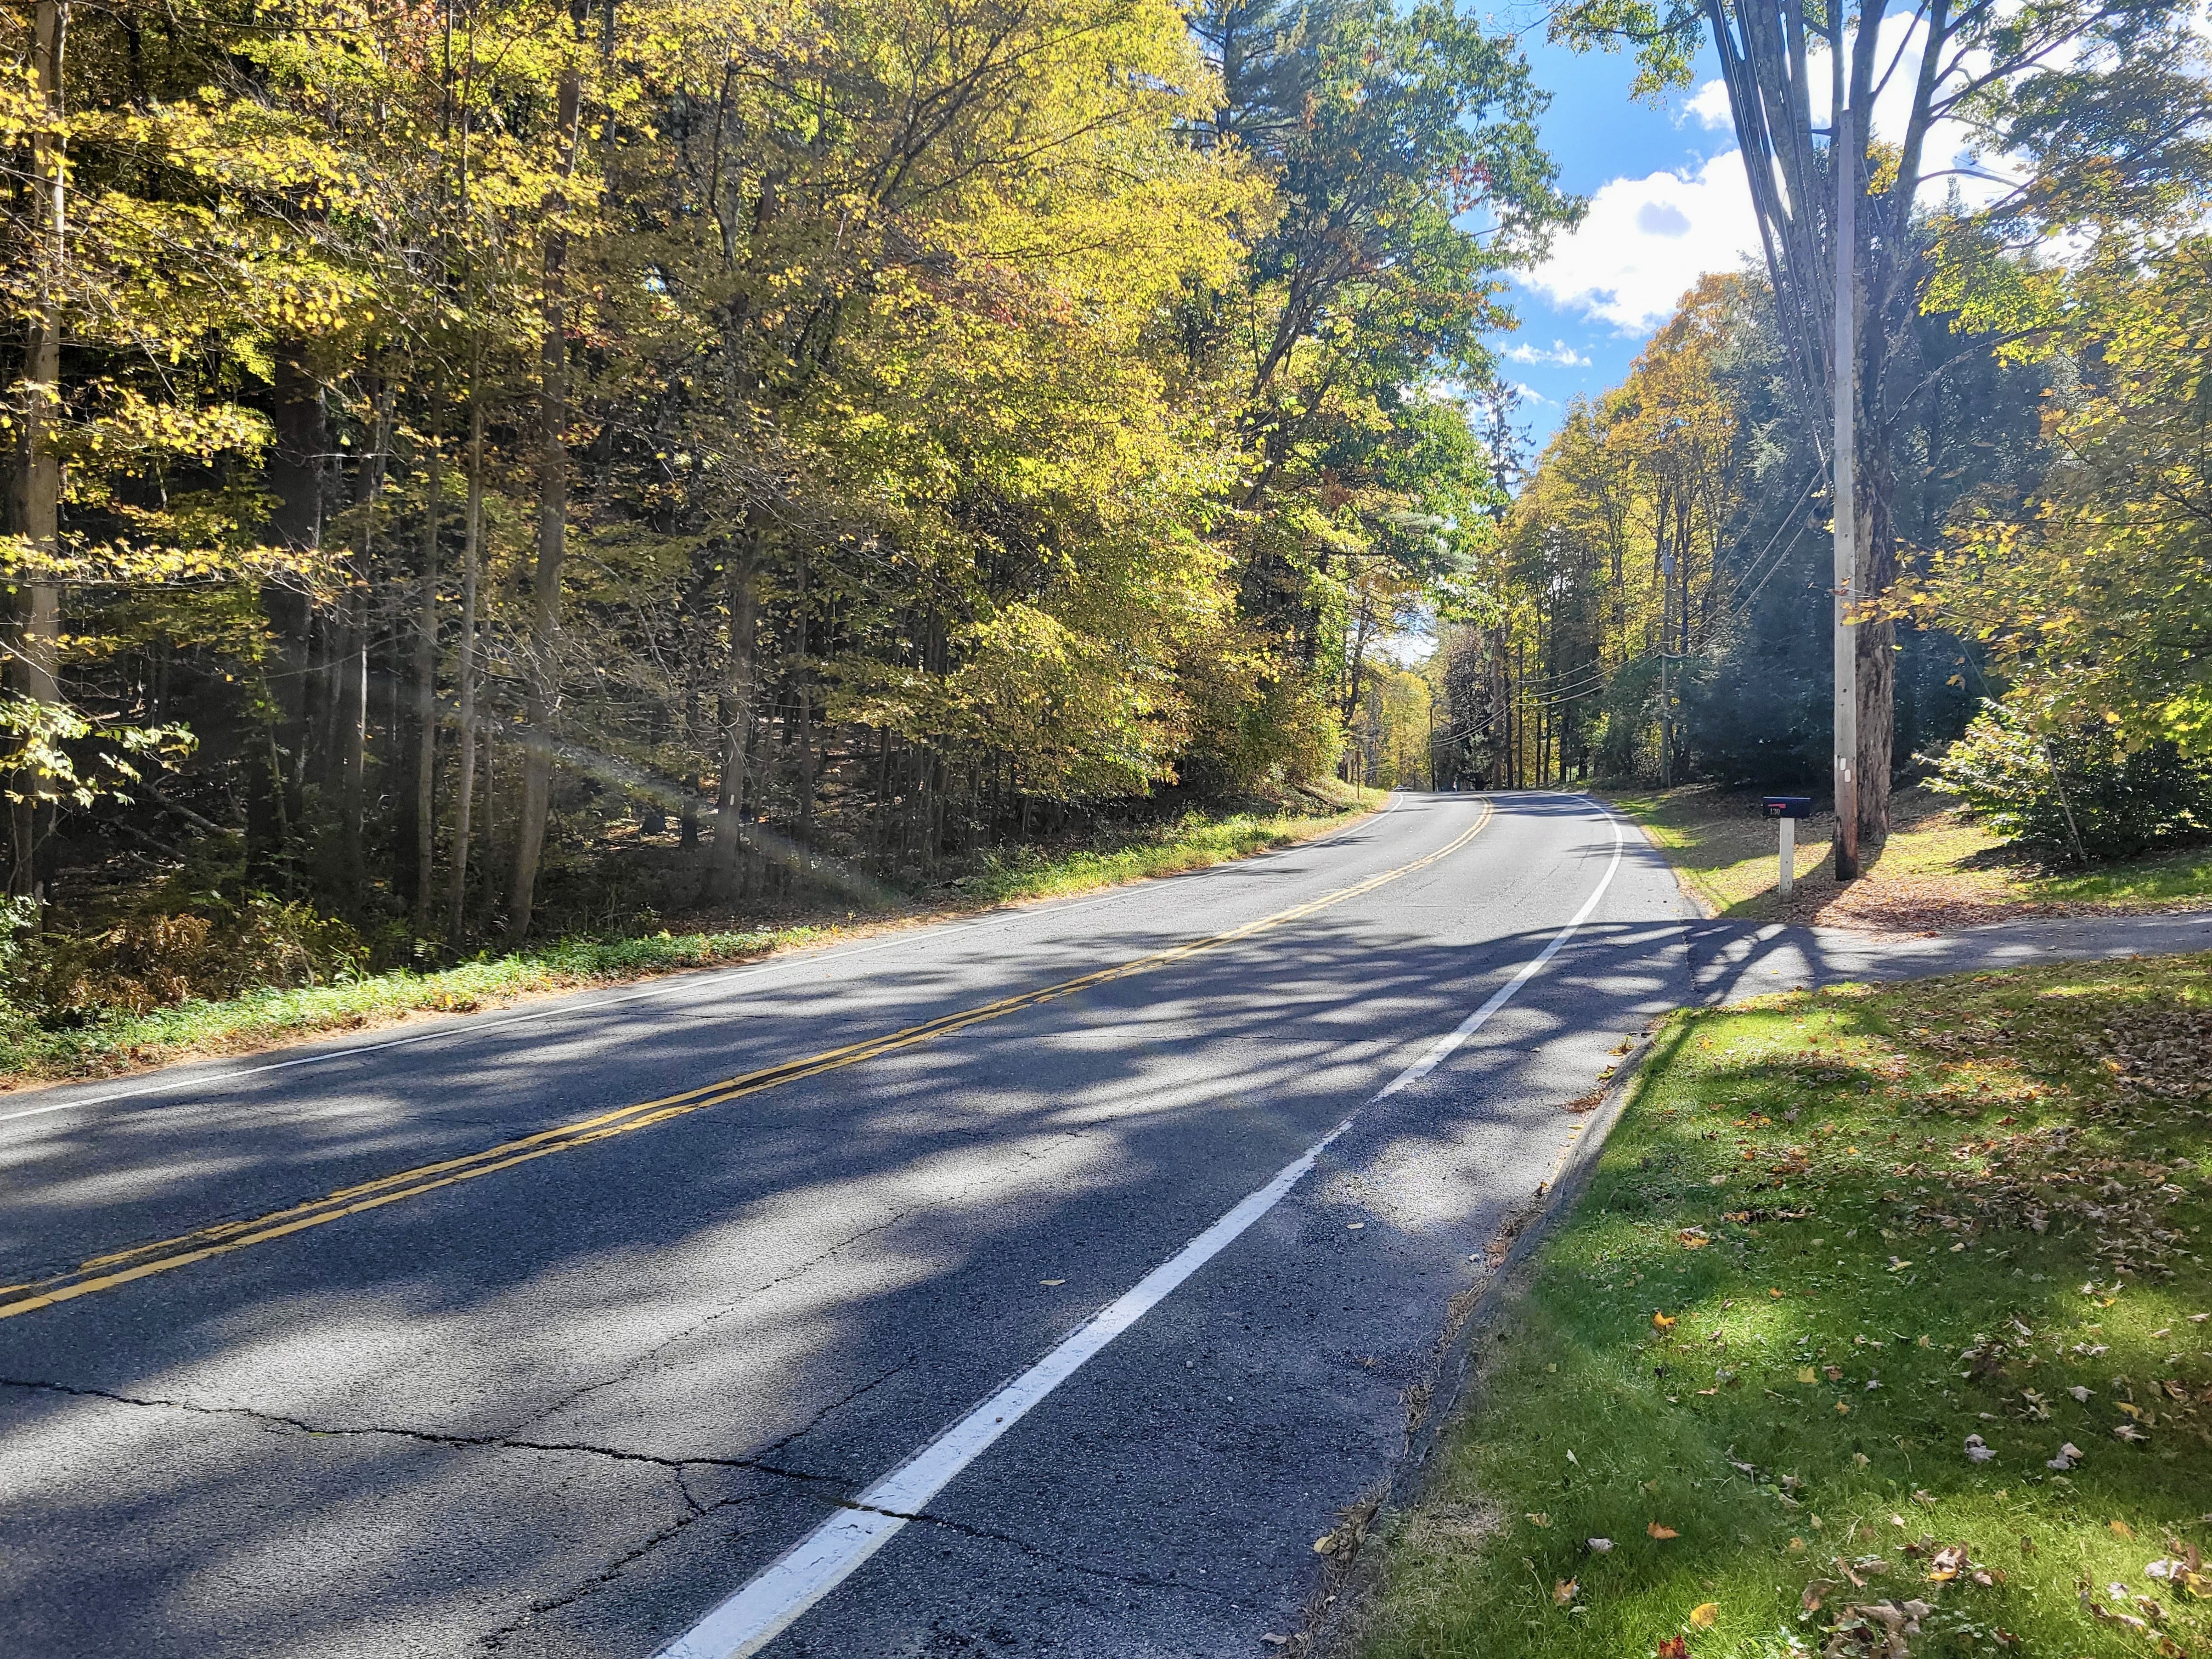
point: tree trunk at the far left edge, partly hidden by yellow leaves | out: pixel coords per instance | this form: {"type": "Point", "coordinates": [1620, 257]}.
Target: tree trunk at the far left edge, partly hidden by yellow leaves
{"type": "Point", "coordinates": [36, 477]}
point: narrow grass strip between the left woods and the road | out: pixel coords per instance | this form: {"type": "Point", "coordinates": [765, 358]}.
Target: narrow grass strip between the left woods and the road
{"type": "Point", "coordinates": [258, 1021]}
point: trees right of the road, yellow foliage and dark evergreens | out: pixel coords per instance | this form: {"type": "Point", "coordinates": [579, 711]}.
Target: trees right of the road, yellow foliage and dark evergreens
{"type": "Point", "coordinates": [2034, 401]}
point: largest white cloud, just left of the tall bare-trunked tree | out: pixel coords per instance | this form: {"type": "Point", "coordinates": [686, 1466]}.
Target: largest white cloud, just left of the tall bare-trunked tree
{"type": "Point", "coordinates": [1647, 242]}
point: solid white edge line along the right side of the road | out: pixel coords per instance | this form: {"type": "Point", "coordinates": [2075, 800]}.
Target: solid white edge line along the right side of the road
{"type": "Point", "coordinates": [842, 1545]}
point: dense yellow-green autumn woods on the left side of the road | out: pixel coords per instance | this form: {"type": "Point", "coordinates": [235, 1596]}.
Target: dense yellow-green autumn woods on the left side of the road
{"type": "Point", "coordinates": [497, 470]}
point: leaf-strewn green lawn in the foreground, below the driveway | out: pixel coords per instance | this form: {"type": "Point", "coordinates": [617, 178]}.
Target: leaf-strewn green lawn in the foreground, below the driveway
{"type": "Point", "coordinates": [1879, 1331]}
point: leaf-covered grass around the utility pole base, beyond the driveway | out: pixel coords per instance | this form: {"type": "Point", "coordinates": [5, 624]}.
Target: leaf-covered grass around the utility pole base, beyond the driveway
{"type": "Point", "coordinates": [1937, 870]}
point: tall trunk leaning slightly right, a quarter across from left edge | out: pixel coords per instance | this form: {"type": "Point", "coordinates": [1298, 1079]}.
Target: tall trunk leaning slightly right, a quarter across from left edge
{"type": "Point", "coordinates": [541, 693]}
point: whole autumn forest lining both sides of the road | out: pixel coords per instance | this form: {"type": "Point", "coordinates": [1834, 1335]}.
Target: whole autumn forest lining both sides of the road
{"type": "Point", "coordinates": [488, 472]}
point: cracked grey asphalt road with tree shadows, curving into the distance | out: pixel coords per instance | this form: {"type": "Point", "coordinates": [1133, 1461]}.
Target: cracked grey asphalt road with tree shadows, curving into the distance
{"type": "Point", "coordinates": [570, 1397]}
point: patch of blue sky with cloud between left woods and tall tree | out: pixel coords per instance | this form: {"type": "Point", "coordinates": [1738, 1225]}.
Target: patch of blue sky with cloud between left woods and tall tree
{"type": "Point", "coordinates": [1667, 205]}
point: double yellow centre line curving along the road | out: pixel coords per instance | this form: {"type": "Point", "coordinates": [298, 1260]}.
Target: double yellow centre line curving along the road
{"type": "Point", "coordinates": [165, 1255]}
